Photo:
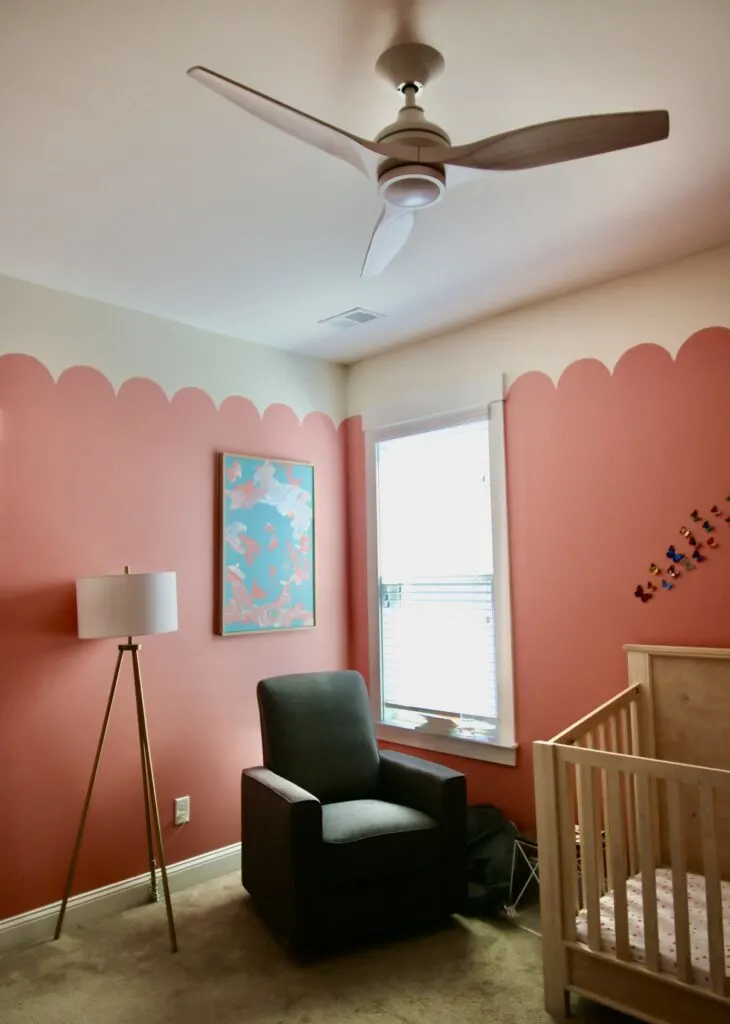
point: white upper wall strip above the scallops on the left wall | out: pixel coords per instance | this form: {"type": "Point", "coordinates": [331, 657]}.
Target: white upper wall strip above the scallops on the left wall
{"type": "Point", "coordinates": [64, 331]}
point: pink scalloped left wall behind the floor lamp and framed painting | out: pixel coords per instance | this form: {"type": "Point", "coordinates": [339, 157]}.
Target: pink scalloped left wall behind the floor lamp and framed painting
{"type": "Point", "coordinates": [91, 482]}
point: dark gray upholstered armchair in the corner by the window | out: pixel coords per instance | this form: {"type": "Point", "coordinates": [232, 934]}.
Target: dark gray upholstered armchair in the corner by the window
{"type": "Point", "coordinates": [341, 841]}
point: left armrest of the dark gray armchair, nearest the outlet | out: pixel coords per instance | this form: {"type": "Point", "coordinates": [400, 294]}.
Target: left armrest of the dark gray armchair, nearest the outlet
{"type": "Point", "coordinates": [282, 852]}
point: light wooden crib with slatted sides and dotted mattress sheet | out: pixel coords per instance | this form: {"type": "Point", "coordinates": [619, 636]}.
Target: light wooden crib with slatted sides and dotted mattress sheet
{"type": "Point", "coordinates": [634, 839]}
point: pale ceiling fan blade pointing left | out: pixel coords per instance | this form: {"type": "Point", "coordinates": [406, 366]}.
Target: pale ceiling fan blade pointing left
{"type": "Point", "coordinates": [361, 153]}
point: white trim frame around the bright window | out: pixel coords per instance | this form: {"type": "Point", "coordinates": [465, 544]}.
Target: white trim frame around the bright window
{"type": "Point", "coordinates": [506, 751]}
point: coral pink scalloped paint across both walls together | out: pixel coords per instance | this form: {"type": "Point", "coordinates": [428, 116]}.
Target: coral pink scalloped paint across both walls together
{"type": "Point", "coordinates": [603, 471]}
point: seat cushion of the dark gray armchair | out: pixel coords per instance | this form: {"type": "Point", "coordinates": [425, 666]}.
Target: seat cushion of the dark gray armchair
{"type": "Point", "coordinates": [371, 838]}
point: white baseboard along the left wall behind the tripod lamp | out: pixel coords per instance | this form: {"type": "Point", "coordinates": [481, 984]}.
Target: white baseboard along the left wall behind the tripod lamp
{"type": "Point", "coordinates": [38, 926]}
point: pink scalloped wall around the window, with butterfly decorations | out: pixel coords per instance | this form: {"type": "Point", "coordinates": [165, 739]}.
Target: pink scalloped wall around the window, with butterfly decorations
{"type": "Point", "coordinates": [603, 472]}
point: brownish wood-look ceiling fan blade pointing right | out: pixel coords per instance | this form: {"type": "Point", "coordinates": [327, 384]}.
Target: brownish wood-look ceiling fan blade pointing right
{"type": "Point", "coordinates": [555, 142]}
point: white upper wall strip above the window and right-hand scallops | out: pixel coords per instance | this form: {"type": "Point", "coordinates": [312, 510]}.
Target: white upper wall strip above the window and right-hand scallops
{"type": "Point", "coordinates": [664, 306]}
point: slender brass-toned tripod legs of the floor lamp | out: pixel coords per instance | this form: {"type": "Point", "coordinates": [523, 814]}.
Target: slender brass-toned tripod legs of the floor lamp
{"type": "Point", "coordinates": [152, 810]}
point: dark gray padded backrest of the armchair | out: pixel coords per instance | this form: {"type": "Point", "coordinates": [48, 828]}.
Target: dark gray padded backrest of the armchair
{"type": "Point", "coordinates": [317, 731]}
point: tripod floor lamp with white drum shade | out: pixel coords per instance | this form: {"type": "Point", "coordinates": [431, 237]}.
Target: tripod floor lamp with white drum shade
{"type": "Point", "coordinates": [130, 606]}
